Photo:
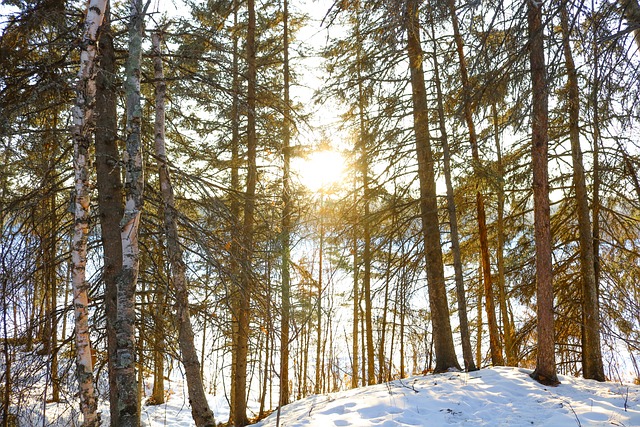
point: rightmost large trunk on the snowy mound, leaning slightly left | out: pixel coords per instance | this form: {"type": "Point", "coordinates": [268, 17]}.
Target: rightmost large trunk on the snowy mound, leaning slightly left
{"type": "Point", "coordinates": [592, 367]}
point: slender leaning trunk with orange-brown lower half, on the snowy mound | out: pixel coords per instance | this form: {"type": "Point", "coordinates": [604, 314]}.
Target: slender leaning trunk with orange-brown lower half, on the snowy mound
{"type": "Point", "coordinates": [494, 336]}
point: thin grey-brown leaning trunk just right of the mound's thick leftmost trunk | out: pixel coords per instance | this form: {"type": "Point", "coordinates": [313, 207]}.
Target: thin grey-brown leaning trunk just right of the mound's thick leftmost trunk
{"type": "Point", "coordinates": [465, 335]}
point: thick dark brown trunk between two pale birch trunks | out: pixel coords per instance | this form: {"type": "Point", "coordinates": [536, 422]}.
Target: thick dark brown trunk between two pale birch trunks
{"type": "Point", "coordinates": [109, 186]}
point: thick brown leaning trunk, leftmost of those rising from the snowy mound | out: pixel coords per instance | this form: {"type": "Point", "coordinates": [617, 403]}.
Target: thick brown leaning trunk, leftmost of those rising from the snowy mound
{"type": "Point", "coordinates": [443, 339]}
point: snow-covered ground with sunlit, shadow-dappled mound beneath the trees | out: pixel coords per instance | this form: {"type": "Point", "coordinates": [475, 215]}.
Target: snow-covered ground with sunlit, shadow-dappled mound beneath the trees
{"type": "Point", "coordinates": [489, 397]}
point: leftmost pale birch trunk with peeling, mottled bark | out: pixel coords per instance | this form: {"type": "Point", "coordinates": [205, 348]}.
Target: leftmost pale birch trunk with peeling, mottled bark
{"type": "Point", "coordinates": [81, 132]}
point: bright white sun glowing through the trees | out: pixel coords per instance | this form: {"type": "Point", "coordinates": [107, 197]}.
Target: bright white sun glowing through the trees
{"type": "Point", "coordinates": [321, 170]}
